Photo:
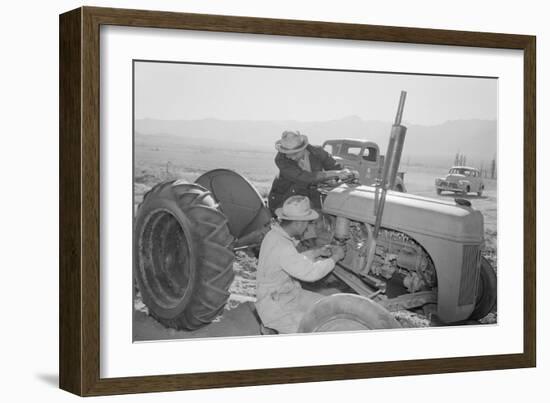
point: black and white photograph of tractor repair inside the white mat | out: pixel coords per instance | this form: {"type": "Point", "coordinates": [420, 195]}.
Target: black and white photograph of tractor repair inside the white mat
{"type": "Point", "coordinates": [271, 200]}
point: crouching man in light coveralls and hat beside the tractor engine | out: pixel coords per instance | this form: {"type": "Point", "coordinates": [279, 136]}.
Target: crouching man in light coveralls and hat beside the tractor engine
{"type": "Point", "coordinates": [281, 301]}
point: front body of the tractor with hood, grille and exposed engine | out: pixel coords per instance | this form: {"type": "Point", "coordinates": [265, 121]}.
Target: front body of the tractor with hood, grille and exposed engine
{"type": "Point", "coordinates": [423, 246]}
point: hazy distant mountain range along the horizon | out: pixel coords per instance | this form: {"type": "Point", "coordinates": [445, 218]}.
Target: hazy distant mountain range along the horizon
{"type": "Point", "coordinates": [425, 145]}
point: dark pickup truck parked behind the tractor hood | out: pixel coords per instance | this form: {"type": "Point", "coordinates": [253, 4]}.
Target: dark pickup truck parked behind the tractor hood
{"type": "Point", "coordinates": [364, 157]}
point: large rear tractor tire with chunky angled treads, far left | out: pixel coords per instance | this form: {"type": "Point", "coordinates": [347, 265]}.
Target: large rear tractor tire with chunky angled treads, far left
{"type": "Point", "coordinates": [183, 257]}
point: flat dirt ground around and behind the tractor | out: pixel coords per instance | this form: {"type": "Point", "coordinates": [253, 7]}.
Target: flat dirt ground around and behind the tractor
{"type": "Point", "coordinates": [239, 317]}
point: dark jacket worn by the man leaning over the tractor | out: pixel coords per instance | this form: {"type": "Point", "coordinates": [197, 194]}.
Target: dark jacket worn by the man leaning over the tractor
{"type": "Point", "coordinates": [292, 179]}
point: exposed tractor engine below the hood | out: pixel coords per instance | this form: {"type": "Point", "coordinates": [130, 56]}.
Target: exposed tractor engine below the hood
{"type": "Point", "coordinates": [398, 259]}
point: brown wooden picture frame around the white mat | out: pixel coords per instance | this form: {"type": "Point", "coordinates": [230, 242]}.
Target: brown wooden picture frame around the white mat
{"type": "Point", "coordinates": [79, 280]}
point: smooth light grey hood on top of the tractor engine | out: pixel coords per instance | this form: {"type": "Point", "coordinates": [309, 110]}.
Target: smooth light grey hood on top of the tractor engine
{"type": "Point", "coordinates": [408, 213]}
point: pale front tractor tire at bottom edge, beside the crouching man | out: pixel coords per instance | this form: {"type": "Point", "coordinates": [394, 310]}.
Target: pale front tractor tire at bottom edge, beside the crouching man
{"type": "Point", "coordinates": [344, 312]}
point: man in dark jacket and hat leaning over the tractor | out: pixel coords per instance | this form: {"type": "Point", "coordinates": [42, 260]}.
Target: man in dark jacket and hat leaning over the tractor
{"type": "Point", "coordinates": [301, 167]}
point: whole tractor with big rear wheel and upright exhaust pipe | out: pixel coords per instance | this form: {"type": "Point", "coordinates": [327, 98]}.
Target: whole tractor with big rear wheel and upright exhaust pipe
{"type": "Point", "coordinates": [402, 251]}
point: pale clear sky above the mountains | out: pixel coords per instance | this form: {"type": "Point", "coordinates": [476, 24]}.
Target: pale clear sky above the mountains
{"type": "Point", "coordinates": [171, 91]}
